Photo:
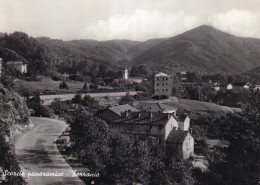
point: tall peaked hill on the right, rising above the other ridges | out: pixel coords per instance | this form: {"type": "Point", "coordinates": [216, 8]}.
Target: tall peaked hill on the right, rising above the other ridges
{"type": "Point", "coordinates": [203, 49]}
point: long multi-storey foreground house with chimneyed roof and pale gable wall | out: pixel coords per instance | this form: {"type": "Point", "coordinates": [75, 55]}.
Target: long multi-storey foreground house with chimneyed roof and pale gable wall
{"type": "Point", "coordinates": [151, 127]}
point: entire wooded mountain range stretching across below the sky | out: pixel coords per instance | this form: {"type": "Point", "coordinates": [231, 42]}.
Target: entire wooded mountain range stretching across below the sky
{"type": "Point", "coordinates": [203, 49]}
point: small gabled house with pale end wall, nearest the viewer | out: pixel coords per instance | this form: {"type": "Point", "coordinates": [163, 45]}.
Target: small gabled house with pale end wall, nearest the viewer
{"type": "Point", "coordinates": [180, 144]}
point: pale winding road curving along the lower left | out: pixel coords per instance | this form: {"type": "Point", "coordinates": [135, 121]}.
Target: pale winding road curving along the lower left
{"type": "Point", "coordinates": [37, 152]}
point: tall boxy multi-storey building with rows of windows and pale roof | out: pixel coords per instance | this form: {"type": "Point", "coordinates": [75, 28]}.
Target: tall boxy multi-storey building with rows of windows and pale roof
{"type": "Point", "coordinates": [162, 84]}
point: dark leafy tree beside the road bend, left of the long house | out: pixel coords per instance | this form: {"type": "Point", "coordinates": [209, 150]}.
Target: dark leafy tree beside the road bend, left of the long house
{"type": "Point", "coordinates": [90, 136]}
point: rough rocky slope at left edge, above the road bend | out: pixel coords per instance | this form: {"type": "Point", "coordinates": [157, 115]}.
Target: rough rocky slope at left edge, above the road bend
{"type": "Point", "coordinates": [14, 114]}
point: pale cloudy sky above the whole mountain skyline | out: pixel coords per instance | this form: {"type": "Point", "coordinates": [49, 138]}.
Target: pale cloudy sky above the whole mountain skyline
{"type": "Point", "coordinates": [127, 19]}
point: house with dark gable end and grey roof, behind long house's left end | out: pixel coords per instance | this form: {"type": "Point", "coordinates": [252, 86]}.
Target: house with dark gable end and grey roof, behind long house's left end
{"type": "Point", "coordinates": [115, 111]}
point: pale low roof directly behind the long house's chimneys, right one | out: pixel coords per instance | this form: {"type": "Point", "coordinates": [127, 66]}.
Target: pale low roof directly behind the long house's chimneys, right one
{"type": "Point", "coordinates": [155, 107]}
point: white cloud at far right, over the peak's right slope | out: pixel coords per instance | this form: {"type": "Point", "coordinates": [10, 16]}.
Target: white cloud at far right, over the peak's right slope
{"type": "Point", "coordinates": [238, 22]}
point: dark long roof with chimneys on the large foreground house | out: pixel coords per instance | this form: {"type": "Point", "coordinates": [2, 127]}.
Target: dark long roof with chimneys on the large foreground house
{"type": "Point", "coordinates": [145, 118]}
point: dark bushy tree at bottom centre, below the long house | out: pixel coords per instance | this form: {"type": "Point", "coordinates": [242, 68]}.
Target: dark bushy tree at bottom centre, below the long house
{"type": "Point", "coordinates": [129, 160]}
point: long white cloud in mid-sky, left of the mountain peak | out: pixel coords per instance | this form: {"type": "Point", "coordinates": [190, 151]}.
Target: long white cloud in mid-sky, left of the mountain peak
{"type": "Point", "coordinates": [141, 25]}
